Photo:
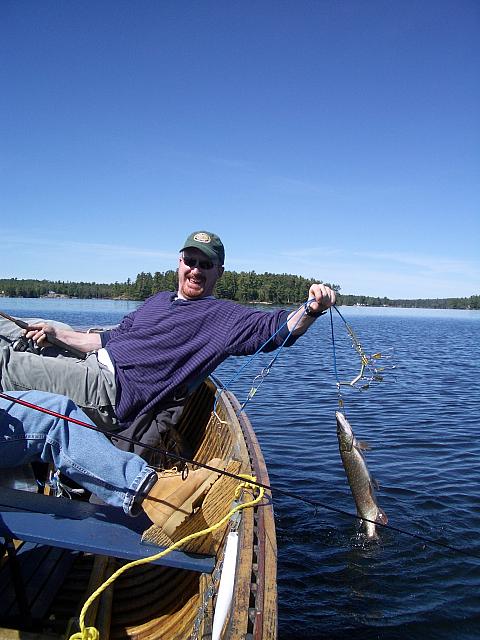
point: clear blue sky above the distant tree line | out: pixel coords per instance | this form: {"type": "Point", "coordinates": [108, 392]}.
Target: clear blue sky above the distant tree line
{"type": "Point", "coordinates": [338, 140]}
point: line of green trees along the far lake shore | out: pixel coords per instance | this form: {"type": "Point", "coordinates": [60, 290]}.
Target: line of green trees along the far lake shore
{"type": "Point", "coordinates": [245, 287]}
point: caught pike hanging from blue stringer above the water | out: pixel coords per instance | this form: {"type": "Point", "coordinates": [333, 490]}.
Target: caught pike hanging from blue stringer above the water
{"type": "Point", "coordinates": [358, 476]}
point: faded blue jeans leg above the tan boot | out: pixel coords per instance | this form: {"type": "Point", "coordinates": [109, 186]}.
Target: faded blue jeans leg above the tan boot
{"type": "Point", "coordinates": [87, 457]}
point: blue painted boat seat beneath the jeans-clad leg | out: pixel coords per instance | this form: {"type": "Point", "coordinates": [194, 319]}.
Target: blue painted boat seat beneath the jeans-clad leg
{"type": "Point", "coordinates": [82, 526]}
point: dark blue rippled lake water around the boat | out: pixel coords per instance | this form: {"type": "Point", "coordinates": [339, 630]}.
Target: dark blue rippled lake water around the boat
{"type": "Point", "coordinates": [422, 423]}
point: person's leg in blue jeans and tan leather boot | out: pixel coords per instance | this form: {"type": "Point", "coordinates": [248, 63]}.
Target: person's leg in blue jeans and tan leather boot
{"type": "Point", "coordinates": [87, 457]}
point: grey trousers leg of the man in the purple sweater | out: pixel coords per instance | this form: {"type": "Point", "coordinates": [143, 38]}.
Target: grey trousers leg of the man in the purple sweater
{"type": "Point", "coordinates": [89, 385]}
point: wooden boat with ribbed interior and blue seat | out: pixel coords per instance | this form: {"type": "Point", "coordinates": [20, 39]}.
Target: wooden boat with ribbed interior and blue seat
{"type": "Point", "coordinates": [45, 579]}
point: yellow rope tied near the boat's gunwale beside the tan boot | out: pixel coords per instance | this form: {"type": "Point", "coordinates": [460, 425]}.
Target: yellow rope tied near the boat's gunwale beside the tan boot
{"type": "Point", "coordinates": [91, 633]}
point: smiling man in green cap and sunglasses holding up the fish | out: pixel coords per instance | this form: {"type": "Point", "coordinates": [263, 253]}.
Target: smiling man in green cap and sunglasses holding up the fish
{"type": "Point", "coordinates": [162, 351]}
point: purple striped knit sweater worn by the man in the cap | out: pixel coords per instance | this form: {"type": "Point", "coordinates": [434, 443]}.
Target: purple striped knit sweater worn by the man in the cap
{"type": "Point", "coordinates": [169, 344]}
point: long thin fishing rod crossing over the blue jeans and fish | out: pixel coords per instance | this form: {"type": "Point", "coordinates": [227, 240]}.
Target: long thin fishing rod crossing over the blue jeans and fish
{"type": "Point", "coordinates": [289, 494]}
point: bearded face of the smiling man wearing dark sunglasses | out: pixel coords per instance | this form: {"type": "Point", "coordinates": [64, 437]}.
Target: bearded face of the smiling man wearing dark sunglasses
{"type": "Point", "coordinates": [196, 281]}
